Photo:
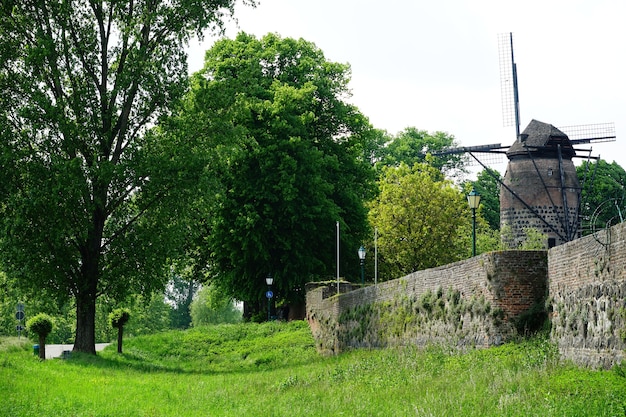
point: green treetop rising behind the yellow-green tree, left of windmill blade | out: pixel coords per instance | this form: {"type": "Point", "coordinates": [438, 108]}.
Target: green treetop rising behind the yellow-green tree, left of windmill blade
{"type": "Point", "coordinates": [412, 146]}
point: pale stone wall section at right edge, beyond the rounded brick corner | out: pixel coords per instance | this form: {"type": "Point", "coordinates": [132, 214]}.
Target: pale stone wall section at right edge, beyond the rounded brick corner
{"type": "Point", "coordinates": [587, 297]}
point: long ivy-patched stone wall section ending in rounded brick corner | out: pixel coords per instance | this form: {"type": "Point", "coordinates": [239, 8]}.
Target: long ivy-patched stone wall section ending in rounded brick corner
{"type": "Point", "coordinates": [475, 302]}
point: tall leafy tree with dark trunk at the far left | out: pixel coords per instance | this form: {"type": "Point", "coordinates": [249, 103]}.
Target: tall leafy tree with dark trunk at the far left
{"type": "Point", "coordinates": [91, 204]}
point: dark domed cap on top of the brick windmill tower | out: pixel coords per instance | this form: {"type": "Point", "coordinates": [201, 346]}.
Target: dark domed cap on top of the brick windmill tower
{"type": "Point", "coordinates": [541, 139]}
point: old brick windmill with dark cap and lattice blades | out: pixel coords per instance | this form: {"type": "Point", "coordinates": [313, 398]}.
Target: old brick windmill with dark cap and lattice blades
{"type": "Point", "coordinates": [540, 188]}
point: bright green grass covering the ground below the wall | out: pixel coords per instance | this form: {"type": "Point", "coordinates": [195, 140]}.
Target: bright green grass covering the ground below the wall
{"type": "Point", "coordinates": [272, 369]}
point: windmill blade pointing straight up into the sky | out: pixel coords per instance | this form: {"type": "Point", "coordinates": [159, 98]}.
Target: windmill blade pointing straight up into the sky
{"type": "Point", "coordinates": [508, 82]}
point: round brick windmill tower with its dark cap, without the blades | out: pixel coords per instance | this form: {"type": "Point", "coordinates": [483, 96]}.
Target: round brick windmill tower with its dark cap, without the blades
{"type": "Point", "coordinates": [540, 189]}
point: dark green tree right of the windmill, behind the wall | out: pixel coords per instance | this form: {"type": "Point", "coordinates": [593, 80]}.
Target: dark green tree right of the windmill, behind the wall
{"type": "Point", "coordinates": [603, 196]}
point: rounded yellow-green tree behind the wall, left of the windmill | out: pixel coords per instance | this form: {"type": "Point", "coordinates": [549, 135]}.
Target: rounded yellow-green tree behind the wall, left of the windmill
{"type": "Point", "coordinates": [418, 217]}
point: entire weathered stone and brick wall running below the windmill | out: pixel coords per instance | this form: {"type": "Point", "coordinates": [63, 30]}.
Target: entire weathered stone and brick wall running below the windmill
{"type": "Point", "coordinates": [481, 302]}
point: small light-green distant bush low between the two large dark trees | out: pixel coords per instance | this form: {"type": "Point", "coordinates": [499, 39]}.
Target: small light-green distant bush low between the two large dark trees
{"type": "Point", "coordinates": [212, 306]}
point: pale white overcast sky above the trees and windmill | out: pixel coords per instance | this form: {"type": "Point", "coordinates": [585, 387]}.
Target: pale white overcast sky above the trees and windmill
{"type": "Point", "coordinates": [434, 65]}
